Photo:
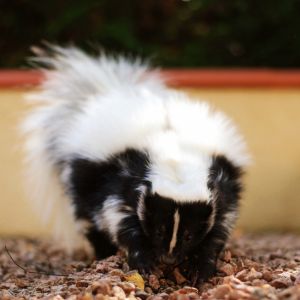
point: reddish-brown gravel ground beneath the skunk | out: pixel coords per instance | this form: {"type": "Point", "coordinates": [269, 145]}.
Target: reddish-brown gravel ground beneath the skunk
{"type": "Point", "coordinates": [252, 267]}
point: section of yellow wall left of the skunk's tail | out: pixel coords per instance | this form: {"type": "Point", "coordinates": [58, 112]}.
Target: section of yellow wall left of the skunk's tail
{"type": "Point", "coordinates": [16, 217]}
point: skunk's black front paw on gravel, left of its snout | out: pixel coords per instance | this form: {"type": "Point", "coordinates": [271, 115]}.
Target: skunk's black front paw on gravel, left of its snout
{"type": "Point", "coordinates": [143, 261]}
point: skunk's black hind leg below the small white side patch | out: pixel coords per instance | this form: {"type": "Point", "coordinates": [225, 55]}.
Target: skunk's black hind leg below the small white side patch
{"type": "Point", "coordinates": [101, 243]}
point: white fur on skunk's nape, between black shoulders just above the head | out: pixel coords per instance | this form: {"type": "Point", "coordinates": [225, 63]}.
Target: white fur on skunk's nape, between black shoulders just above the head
{"type": "Point", "coordinates": [176, 172]}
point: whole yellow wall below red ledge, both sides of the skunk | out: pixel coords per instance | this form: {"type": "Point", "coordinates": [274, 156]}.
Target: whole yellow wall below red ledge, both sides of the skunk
{"type": "Point", "coordinates": [270, 120]}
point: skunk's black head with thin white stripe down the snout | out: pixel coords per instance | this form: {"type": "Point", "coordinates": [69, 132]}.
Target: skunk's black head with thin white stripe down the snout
{"type": "Point", "coordinates": [175, 229]}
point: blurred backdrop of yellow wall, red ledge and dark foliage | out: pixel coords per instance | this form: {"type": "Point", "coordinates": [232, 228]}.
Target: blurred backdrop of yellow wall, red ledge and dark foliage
{"type": "Point", "coordinates": [198, 34]}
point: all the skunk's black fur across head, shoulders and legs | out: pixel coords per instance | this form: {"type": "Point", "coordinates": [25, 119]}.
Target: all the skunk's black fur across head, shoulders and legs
{"type": "Point", "coordinates": [203, 229]}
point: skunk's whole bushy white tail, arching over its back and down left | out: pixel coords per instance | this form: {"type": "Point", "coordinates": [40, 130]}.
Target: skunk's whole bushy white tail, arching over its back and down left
{"type": "Point", "coordinates": [70, 78]}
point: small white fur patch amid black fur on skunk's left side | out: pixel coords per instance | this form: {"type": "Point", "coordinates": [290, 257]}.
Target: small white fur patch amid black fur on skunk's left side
{"type": "Point", "coordinates": [110, 216]}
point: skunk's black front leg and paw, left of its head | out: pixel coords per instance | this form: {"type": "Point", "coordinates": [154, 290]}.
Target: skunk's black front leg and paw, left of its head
{"type": "Point", "coordinates": [132, 237]}
